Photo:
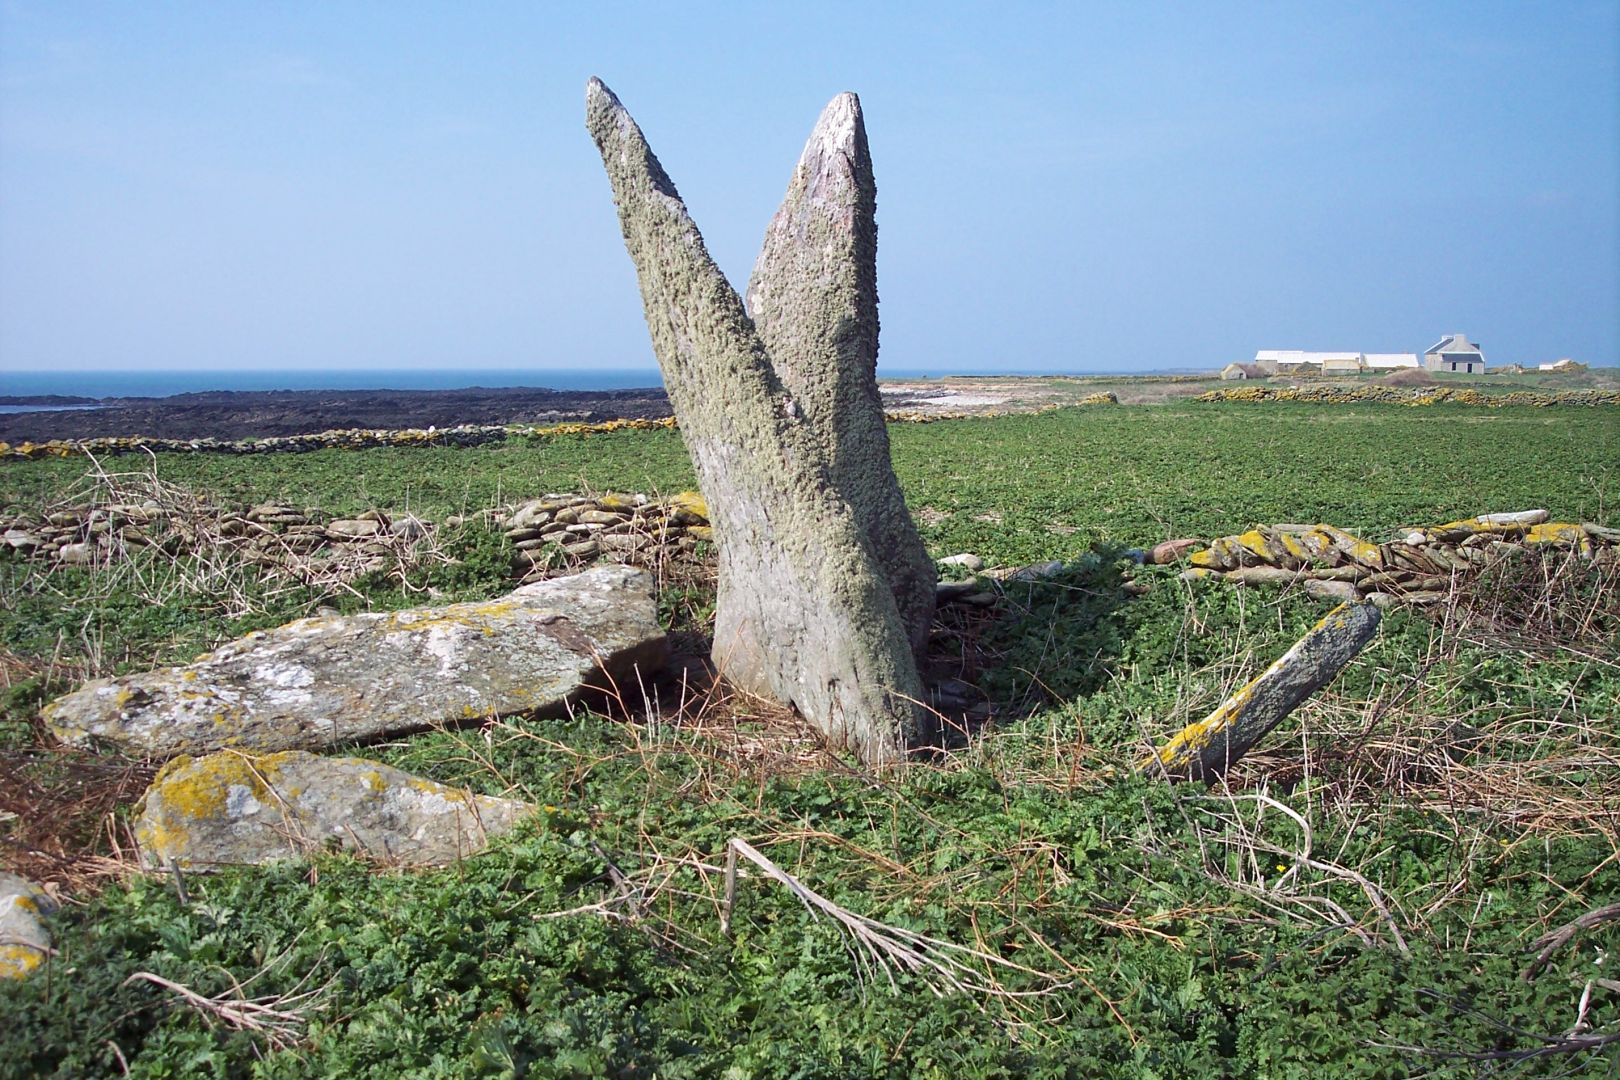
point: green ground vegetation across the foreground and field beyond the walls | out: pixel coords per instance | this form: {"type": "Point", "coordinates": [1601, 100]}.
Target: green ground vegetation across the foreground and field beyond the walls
{"type": "Point", "coordinates": [1459, 783]}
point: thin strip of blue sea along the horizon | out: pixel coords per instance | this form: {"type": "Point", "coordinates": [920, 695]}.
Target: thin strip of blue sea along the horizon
{"type": "Point", "coordinates": [116, 385]}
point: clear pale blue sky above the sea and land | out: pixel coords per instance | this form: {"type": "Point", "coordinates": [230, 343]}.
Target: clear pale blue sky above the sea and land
{"type": "Point", "coordinates": [1060, 185]}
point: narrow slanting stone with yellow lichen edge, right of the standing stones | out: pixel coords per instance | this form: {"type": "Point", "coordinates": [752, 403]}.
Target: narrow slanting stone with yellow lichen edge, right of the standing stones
{"type": "Point", "coordinates": [1208, 749]}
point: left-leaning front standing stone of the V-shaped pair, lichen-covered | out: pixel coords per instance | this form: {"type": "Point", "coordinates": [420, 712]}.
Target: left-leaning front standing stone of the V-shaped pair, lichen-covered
{"type": "Point", "coordinates": [804, 611]}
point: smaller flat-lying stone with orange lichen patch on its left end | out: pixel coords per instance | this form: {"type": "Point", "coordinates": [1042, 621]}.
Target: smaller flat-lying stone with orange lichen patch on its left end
{"type": "Point", "coordinates": [232, 809]}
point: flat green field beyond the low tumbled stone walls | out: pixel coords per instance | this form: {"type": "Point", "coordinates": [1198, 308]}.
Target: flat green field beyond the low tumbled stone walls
{"type": "Point", "coordinates": [1114, 475]}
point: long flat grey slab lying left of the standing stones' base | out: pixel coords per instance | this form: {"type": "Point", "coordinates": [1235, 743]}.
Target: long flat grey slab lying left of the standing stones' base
{"type": "Point", "coordinates": [336, 679]}
